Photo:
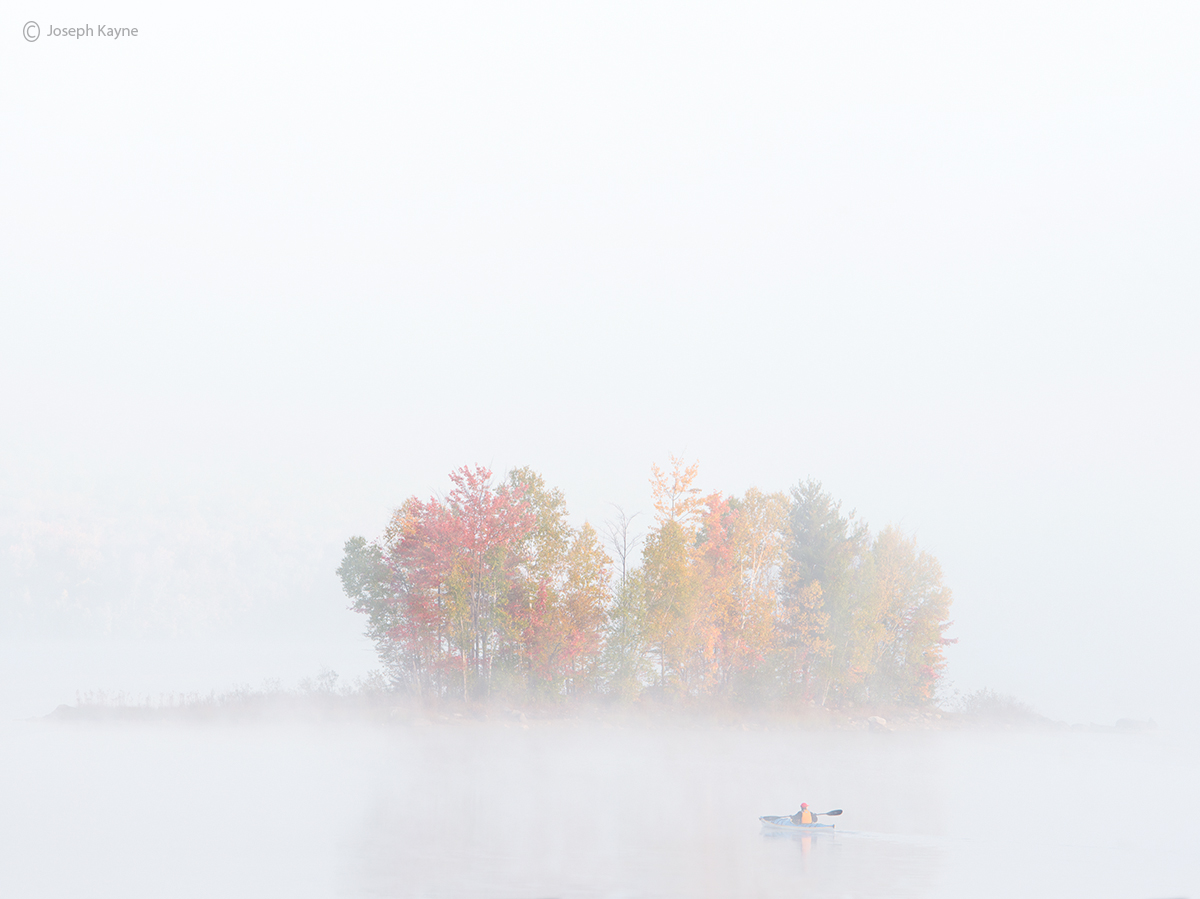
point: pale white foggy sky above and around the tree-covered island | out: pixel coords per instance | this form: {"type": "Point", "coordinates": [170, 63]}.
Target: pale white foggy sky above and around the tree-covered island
{"type": "Point", "coordinates": [267, 272]}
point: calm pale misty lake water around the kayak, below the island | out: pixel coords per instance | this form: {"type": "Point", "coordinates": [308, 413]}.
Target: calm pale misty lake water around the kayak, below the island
{"type": "Point", "coordinates": [581, 810]}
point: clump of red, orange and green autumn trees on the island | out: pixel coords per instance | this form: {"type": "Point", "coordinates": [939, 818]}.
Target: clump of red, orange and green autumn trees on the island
{"type": "Point", "coordinates": [491, 592]}
